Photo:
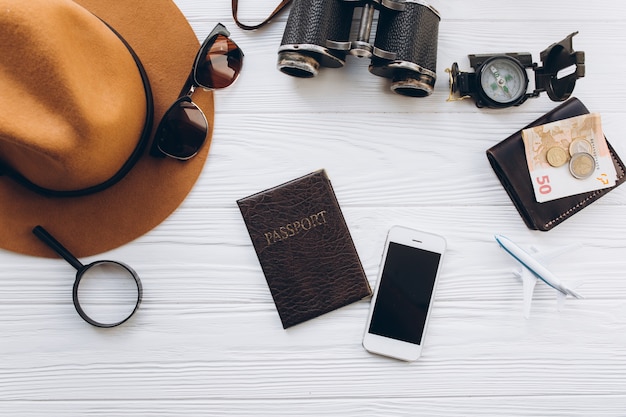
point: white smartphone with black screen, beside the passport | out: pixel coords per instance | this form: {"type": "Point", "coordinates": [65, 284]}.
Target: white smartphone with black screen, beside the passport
{"type": "Point", "coordinates": [404, 293]}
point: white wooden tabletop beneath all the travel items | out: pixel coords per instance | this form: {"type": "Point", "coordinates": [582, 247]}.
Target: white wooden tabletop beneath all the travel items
{"type": "Point", "coordinates": [207, 339]}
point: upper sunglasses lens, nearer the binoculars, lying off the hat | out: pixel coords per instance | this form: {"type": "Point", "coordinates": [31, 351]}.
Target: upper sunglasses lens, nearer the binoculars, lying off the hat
{"type": "Point", "coordinates": [219, 63]}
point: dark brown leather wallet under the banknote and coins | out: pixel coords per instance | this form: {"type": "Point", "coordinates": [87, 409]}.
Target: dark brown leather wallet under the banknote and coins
{"type": "Point", "coordinates": [508, 160]}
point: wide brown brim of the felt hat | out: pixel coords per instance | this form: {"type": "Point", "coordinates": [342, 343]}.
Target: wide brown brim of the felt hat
{"type": "Point", "coordinates": [166, 45]}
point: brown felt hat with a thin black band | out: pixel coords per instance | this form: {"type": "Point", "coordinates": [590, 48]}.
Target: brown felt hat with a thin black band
{"type": "Point", "coordinates": [76, 118]}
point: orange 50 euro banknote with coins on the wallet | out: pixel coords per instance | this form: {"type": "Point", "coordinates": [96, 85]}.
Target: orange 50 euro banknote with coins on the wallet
{"type": "Point", "coordinates": [568, 157]}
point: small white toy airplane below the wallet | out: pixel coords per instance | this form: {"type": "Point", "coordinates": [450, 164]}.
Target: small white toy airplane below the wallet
{"type": "Point", "coordinates": [533, 270]}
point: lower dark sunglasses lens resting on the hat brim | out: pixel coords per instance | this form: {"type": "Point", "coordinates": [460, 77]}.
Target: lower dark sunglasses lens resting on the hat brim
{"type": "Point", "coordinates": [182, 130]}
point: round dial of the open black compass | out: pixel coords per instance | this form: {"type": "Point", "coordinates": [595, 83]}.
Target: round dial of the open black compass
{"type": "Point", "coordinates": [503, 80]}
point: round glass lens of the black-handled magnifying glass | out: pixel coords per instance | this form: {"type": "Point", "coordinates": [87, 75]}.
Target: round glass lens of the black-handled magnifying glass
{"type": "Point", "coordinates": [107, 292]}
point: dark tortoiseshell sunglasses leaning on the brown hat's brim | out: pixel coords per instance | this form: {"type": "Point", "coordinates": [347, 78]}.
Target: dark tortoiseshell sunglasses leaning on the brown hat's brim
{"type": "Point", "coordinates": [184, 127]}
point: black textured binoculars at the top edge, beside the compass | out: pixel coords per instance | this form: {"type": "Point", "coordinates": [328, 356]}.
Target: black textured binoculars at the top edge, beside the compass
{"type": "Point", "coordinates": [318, 32]}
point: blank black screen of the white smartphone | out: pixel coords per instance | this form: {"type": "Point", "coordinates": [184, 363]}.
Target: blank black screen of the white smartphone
{"type": "Point", "coordinates": [404, 293]}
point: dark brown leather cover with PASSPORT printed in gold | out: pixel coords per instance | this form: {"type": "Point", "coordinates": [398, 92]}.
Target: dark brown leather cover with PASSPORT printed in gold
{"type": "Point", "coordinates": [305, 249]}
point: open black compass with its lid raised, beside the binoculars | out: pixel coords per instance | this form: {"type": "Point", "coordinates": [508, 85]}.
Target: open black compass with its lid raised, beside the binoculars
{"type": "Point", "coordinates": [502, 80]}
